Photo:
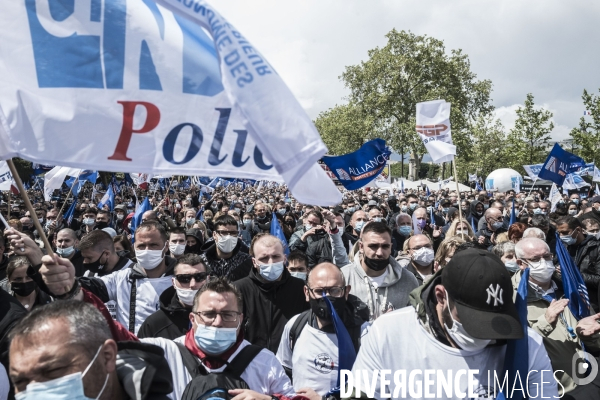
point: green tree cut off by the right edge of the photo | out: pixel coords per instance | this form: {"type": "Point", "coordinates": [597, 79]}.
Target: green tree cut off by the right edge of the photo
{"type": "Point", "coordinates": [587, 136]}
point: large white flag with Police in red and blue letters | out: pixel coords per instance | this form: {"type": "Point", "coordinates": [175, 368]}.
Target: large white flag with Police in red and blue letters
{"type": "Point", "coordinates": [158, 87]}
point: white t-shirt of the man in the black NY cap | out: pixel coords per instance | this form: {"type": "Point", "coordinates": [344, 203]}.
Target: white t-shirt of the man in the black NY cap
{"type": "Point", "coordinates": [397, 341]}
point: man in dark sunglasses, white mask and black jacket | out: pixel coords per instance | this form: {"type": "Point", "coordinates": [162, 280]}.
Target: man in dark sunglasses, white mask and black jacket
{"type": "Point", "coordinates": [172, 320]}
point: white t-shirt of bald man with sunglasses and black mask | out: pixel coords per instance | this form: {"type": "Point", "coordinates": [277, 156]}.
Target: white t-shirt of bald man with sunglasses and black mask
{"type": "Point", "coordinates": [315, 359]}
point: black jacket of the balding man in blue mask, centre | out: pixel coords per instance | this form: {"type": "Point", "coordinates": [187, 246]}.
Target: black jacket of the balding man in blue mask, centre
{"type": "Point", "coordinates": [268, 306]}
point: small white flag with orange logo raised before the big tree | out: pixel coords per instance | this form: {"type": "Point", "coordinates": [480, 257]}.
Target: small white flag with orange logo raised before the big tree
{"type": "Point", "coordinates": [433, 127]}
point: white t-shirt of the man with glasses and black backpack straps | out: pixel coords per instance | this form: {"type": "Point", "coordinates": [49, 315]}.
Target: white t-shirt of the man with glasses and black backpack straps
{"type": "Point", "coordinates": [264, 374]}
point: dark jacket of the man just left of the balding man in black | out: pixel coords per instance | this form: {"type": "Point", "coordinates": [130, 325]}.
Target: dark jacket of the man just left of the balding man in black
{"type": "Point", "coordinates": [234, 268]}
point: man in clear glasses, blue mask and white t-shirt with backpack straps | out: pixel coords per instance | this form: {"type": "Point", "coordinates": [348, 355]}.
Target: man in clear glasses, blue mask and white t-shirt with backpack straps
{"type": "Point", "coordinates": [214, 342]}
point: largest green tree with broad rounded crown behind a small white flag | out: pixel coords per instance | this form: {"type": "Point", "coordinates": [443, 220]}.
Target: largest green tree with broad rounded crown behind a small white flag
{"type": "Point", "coordinates": [410, 69]}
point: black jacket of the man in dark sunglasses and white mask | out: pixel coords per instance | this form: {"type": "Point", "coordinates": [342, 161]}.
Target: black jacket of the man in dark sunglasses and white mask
{"type": "Point", "coordinates": [170, 322]}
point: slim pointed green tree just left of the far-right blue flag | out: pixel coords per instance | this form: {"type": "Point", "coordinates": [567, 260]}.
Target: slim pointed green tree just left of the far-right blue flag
{"type": "Point", "coordinates": [529, 140]}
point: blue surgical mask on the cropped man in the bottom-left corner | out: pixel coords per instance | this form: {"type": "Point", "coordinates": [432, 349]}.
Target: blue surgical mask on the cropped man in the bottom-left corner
{"type": "Point", "coordinates": [68, 387]}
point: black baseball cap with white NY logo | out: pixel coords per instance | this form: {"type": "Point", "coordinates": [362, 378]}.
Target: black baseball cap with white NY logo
{"type": "Point", "coordinates": [481, 289]}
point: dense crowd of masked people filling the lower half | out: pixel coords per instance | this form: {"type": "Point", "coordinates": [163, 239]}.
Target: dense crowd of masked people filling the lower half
{"type": "Point", "coordinates": [201, 301]}
